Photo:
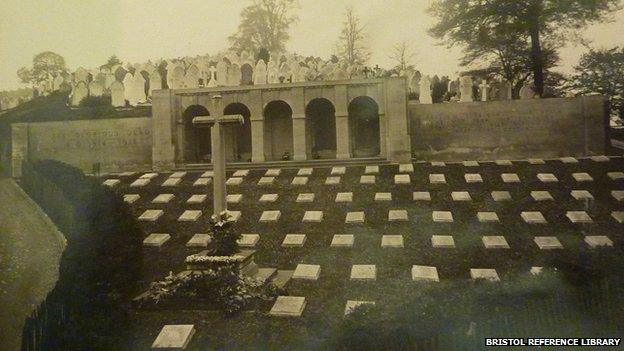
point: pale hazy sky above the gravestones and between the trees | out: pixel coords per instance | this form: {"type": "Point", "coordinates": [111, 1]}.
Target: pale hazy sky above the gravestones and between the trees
{"type": "Point", "coordinates": [87, 32]}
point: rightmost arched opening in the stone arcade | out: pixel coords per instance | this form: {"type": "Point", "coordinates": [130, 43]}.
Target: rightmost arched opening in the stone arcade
{"type": "Point", "coordinates": [364, 127]}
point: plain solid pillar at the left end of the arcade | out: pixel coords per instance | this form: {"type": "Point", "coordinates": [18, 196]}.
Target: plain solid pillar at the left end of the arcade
{"type": "Point", "coordinates": [163, 149]}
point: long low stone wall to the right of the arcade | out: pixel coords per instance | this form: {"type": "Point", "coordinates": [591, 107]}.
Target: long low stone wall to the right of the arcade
{"type": "Point", "coordinates": [512, 129]}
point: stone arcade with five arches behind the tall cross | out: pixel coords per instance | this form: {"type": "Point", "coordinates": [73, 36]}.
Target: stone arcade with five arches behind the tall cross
{"type": "Point", "coordinates": [294, 121]}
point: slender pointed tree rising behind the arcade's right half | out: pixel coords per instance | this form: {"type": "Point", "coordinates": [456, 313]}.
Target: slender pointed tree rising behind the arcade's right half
{"type": "Point", "coordinates": [351, 46]}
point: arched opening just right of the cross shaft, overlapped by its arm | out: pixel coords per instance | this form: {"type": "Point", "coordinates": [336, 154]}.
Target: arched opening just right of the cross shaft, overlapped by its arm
{"type": "Point", "coordinates": [238, 136]}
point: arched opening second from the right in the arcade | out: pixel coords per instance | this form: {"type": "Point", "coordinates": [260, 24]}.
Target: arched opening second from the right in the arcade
{"type": "Point", "coordinates": [320, 129]}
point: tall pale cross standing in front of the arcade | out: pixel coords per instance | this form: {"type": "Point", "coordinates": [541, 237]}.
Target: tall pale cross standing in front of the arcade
{"type": "Point", "coordinates": [218, 151]}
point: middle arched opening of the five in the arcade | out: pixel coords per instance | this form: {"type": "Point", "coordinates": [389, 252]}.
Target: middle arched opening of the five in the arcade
{"type": "Point", "coordinates": [278, 139]}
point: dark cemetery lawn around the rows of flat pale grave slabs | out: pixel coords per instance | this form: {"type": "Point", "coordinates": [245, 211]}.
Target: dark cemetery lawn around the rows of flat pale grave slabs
{"type": "Point", "coordinates": [326, 297]}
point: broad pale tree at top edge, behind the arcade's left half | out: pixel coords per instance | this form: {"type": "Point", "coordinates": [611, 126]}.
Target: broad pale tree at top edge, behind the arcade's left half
{"type": "Point", "coordinates": [264, 24]}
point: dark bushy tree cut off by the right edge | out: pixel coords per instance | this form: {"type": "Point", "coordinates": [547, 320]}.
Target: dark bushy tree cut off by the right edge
{"type": "Point", "coordinates": [602, 72]}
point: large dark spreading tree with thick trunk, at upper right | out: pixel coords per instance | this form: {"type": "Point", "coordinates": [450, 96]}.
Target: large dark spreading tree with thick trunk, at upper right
{"type": "Point", "coordinates": [468, 22]}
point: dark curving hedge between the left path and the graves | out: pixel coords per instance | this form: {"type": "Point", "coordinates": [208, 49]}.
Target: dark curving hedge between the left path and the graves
{"type": "Point", "coordinates": [89, 307]}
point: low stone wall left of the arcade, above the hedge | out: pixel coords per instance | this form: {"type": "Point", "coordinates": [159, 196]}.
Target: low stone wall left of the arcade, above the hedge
{"type": "Point", "coordinates": [121, 144]}
